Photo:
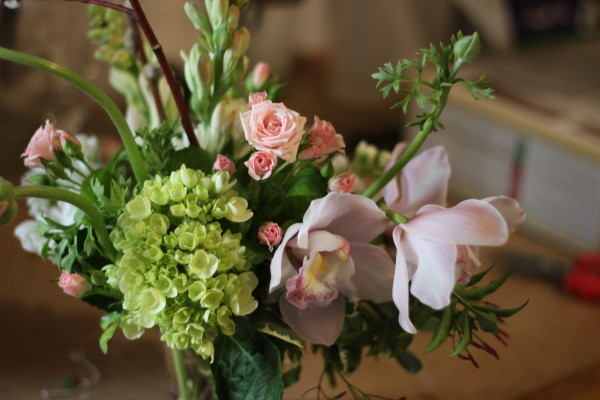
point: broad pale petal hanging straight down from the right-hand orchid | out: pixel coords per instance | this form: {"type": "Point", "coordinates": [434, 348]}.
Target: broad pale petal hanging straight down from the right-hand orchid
{"type": "Point", "coordinates": [434, 278]}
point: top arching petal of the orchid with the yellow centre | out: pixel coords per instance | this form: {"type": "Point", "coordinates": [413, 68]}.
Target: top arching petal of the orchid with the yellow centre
{"type": "Point", "coordinates": [354, 217]}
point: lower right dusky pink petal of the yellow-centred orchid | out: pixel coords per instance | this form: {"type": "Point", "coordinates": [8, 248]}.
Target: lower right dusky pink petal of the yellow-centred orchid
{"type": "Point", "coordinates": [373, 276]}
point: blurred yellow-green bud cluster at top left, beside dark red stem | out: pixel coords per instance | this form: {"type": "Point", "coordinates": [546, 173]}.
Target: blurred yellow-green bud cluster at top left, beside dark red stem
{"type": "Point", "coordinates": [108, 31]}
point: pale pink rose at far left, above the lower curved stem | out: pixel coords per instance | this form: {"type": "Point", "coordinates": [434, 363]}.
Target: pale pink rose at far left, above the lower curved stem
{"type": "Point", "coordinates": [44, 143]}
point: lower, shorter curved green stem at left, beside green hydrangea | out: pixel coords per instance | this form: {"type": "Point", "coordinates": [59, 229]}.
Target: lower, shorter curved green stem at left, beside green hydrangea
{"type": "Point", "coordinates": [96, 220]}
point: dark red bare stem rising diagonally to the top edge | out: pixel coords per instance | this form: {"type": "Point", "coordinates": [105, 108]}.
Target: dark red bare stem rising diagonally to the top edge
{"type": "Point", "coordinates": [141, 19]}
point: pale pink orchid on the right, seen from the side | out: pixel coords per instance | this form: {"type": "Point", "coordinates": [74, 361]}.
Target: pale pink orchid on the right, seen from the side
{"type": "Point", "coordinates": [438, 247]}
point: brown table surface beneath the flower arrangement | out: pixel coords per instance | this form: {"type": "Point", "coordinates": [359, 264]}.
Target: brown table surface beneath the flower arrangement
{"type": "Point", "coordinates": [553, 352]}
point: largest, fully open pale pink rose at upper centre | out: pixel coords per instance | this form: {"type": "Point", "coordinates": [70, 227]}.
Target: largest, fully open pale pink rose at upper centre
{"type": "Point", "coordinates": [274, 128]}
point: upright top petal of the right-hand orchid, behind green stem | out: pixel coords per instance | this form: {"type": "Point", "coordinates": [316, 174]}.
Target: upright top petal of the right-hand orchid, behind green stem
{"type": "Point", "coordinates": [424, 180]}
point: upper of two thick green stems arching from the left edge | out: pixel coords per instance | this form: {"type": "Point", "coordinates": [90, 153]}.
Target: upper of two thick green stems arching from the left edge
{"type": "Point", "coordinates": [95, 93]}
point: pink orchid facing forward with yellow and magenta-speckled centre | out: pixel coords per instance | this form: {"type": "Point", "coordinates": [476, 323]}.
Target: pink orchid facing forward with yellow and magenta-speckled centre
{"type": "Point", "coordinates": [326, 255]}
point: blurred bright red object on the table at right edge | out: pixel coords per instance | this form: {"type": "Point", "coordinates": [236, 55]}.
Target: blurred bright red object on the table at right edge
{"type": "Point", "coordinates": [584, 279]}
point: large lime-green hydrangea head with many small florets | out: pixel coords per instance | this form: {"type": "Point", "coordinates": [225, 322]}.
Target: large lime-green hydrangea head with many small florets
{"type": "Point", "coordinates": [180, 270]}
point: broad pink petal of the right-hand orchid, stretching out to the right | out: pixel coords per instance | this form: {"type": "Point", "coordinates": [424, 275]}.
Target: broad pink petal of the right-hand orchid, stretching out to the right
{"type": "Point", "coordinates": [473, 222]}
